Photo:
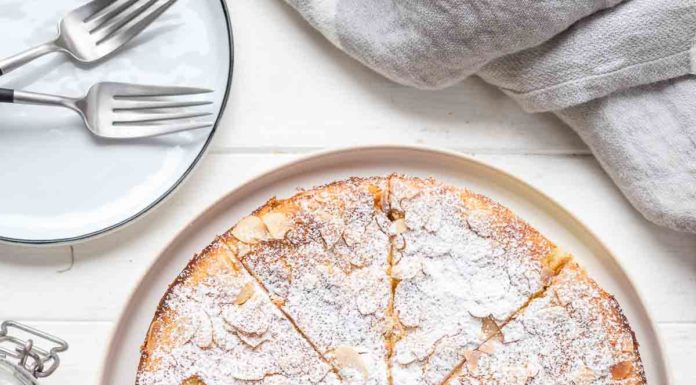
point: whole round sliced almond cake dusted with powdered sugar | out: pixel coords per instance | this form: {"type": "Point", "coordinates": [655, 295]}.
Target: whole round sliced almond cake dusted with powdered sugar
{"type": "Point", "coordinates": [387, 281]}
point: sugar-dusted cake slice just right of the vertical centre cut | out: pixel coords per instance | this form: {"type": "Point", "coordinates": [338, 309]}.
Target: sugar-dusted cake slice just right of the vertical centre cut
{"type": "Point", "coordinates": [462, 265]}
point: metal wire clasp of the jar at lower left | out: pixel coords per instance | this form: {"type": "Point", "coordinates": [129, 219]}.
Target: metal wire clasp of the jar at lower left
{"type": "Point", "coordinates": [38, 361]}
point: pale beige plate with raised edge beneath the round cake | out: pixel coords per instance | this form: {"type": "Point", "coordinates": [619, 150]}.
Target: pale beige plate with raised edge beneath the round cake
{"type": "Point", "coordinates": [543, 213]}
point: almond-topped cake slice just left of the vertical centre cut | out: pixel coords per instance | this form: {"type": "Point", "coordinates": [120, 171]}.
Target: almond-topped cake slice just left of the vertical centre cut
{"type": "Point", "coordinates": [322, 255]}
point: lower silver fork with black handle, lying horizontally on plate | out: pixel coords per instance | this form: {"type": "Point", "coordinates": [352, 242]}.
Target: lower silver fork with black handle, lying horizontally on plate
{"type": "Point", "coordinates": [121, 111]}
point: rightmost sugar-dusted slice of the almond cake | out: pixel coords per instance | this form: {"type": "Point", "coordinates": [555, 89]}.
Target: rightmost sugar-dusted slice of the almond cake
{"type": "Point", "coordinates": [573, 334]}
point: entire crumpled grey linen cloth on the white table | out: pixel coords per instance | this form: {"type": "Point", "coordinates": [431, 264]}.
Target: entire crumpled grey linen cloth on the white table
{"type": "Point", "coordinates": [591, 62]}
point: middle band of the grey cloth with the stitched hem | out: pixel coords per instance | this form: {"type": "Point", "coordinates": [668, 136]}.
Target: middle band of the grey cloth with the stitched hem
{"type": "Point", "coordinates": [637, 42]}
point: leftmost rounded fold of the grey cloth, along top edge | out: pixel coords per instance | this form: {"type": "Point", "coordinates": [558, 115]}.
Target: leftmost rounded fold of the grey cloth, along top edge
{"type": "Point", "coordinates": [436, 43]}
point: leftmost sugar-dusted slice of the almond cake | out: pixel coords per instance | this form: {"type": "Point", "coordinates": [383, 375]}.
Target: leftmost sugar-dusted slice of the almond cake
{"type": "Point", "coordinates": [216, 326]}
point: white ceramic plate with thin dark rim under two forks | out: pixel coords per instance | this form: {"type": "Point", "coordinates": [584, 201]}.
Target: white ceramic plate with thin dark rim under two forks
{"type": "Point", "coordinates": [58, 183]}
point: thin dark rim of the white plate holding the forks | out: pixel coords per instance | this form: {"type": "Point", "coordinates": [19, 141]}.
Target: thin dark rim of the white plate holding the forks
{"type": "Point", "coordinates": [170, 191]}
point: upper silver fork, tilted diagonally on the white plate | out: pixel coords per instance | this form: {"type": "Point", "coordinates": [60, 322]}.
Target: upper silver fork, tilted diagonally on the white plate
{"type": "Point", "coordinates": [95, 30]}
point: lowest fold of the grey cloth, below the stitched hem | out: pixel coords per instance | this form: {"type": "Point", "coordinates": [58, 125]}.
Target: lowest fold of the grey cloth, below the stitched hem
{"type": "Point", "coordinates": [645, 138]}
